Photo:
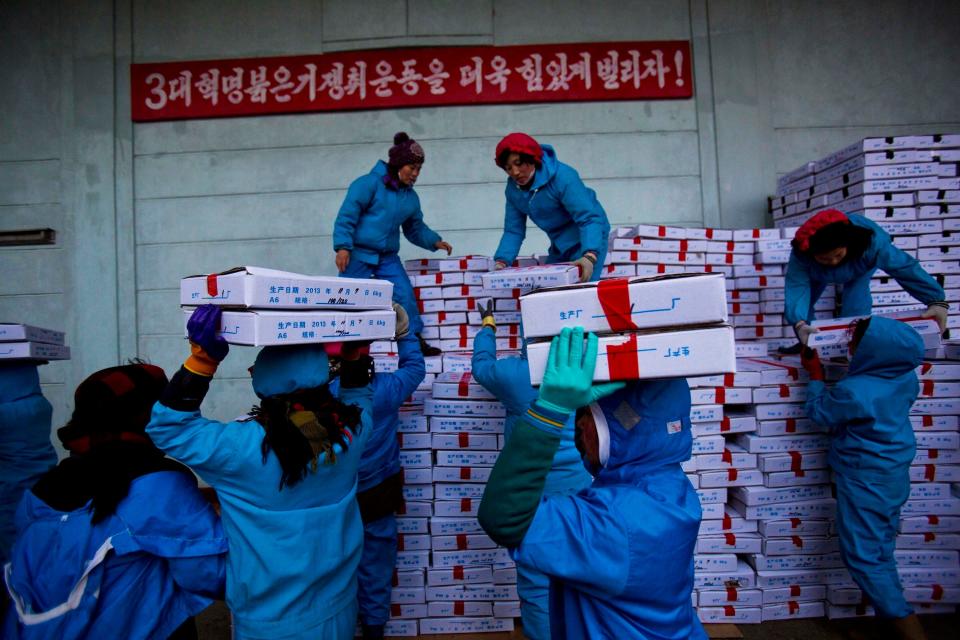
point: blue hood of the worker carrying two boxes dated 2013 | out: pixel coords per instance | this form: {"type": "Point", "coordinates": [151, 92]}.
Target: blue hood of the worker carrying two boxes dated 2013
{"type": "Point", "coordinates": [282, 370]}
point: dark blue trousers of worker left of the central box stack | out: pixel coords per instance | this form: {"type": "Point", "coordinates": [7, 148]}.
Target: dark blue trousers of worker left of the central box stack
{"type": "Point", "coordinates": [375, 574]}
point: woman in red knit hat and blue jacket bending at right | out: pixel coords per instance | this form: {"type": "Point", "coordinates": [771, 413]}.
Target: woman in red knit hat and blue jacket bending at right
{"type": "Point", "coordinates": [835, 248]}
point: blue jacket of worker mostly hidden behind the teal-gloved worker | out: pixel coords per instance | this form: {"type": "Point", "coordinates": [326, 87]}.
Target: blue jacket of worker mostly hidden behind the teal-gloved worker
{"type": "Point", "coordinates": [508, 379]}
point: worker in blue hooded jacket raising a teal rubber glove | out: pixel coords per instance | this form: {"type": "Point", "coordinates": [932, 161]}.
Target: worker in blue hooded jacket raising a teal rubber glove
{"type": "Point", "coordinates": [619, 553]}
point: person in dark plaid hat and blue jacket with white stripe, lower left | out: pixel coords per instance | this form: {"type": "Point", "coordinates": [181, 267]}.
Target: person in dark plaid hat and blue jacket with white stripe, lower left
{"type": "Point", "coordinates": [116, 541]}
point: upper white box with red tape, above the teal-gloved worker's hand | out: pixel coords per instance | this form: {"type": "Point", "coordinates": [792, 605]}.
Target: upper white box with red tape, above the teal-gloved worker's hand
{"type": "Point", "coordinates": [626, 304]}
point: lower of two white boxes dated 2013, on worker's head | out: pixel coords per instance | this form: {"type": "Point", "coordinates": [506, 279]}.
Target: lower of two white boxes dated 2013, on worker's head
{"type": "Point", "coordinates": [262, 328]}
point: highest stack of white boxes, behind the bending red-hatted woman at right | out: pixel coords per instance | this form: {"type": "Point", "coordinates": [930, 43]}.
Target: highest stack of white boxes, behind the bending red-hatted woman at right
{"type": "Point", "coordinates": [909, 185]}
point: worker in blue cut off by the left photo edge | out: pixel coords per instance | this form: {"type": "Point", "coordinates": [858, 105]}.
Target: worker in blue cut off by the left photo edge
{"type": "Point", "coordinates": [25, 449]}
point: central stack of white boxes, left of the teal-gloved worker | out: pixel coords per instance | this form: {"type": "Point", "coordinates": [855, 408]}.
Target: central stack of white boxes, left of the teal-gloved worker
{"type": "Point", "coordinates": [450, 577]}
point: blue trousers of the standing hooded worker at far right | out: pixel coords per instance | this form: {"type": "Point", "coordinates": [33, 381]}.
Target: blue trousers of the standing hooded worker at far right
{"type": "Point", "coordinates": [868, 514]}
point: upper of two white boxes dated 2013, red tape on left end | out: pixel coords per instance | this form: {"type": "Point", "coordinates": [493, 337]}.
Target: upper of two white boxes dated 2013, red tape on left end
{"type": "Point", "coordinates": [259, 288]}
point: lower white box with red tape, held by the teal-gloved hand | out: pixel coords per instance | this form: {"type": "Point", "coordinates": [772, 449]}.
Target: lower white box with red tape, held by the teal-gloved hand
{"type": "Point", "coordinates": [664, 354]}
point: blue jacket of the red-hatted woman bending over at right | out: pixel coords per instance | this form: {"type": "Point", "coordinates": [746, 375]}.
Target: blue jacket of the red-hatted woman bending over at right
{"type": "Point", "coordinates": [804, 274]}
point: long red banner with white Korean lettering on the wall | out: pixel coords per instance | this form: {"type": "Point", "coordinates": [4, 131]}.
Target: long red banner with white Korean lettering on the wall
{"type": "Point", "coordinates": [414, 77]}
